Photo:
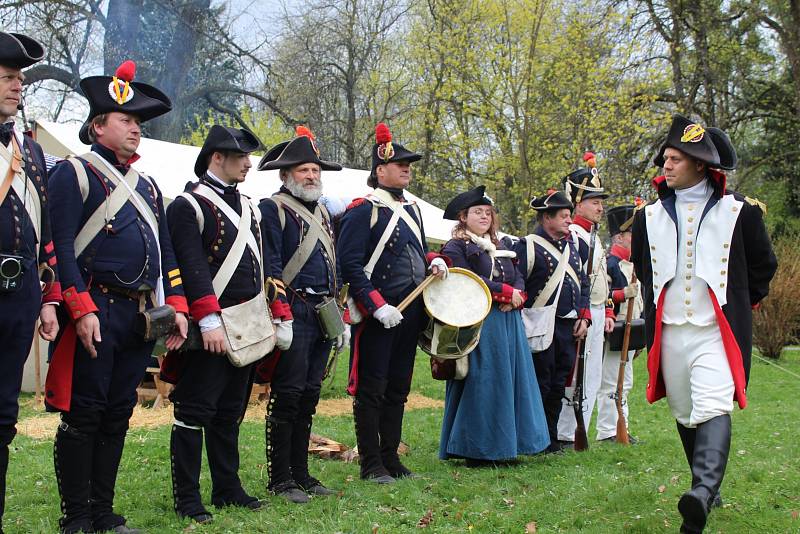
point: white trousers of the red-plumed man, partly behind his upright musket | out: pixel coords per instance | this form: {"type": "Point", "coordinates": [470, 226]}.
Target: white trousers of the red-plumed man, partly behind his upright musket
{"type": "Point", "coordinates": [591, 380]}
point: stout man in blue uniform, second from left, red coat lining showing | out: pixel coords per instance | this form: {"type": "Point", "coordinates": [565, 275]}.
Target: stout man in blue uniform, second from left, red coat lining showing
{"type": "Point", "coordinates": [117, 261]}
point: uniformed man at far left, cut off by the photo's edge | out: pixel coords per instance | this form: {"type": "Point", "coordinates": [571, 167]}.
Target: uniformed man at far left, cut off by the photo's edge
{"type": "Point", "coordinates": [25, 241]}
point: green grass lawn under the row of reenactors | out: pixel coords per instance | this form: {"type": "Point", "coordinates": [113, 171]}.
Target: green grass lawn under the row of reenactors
{"type": "Point", "coordinates": [606, 489]}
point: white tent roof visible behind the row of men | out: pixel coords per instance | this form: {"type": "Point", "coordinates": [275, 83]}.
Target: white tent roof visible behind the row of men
{"type": "Point", "coordinates": [171, 164]}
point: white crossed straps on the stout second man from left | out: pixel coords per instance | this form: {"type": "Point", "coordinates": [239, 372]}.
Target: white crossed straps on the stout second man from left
{"type": "Point", "coordinates": [124, 191]}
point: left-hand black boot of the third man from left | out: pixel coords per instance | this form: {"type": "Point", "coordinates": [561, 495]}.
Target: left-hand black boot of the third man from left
{"type": "Point", "coordinates": [186, 456]}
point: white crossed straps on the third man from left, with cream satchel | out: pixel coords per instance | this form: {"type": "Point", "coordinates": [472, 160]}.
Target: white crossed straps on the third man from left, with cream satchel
{"type": "Point", "coordinates": [244, 234]}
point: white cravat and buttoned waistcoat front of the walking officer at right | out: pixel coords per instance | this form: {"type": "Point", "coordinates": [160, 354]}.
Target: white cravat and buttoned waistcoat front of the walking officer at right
{"type": "Point", "coordinates": [687, 298]}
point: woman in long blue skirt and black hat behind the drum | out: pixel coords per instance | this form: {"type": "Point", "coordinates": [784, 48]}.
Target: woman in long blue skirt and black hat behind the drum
{"type": "Point", "coordinates": [496, 412]}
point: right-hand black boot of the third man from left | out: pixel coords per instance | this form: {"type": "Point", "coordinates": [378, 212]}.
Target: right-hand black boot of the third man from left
{"type": "Point", "coordinates": [222, 448]}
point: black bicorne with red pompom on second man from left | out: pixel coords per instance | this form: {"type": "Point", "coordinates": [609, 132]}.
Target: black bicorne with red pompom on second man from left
{"type": "Point", "coordinates": [120, 93]}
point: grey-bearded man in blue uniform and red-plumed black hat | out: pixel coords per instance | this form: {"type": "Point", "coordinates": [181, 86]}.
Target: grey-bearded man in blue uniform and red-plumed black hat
{"type": "Point", "coordinates": [299, 250]}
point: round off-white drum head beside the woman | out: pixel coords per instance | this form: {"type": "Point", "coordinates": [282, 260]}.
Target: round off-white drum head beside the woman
{"type": "Point", "coordinates": [461, 299]}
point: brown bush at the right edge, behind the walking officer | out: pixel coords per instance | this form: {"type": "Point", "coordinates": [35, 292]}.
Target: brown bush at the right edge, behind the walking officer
{"type": "Point", "coordinates": [777, 321]}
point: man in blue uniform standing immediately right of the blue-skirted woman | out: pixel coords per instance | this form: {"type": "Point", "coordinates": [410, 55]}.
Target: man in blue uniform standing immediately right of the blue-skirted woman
{"type": "Point", "coordinates": [573, 317]}
